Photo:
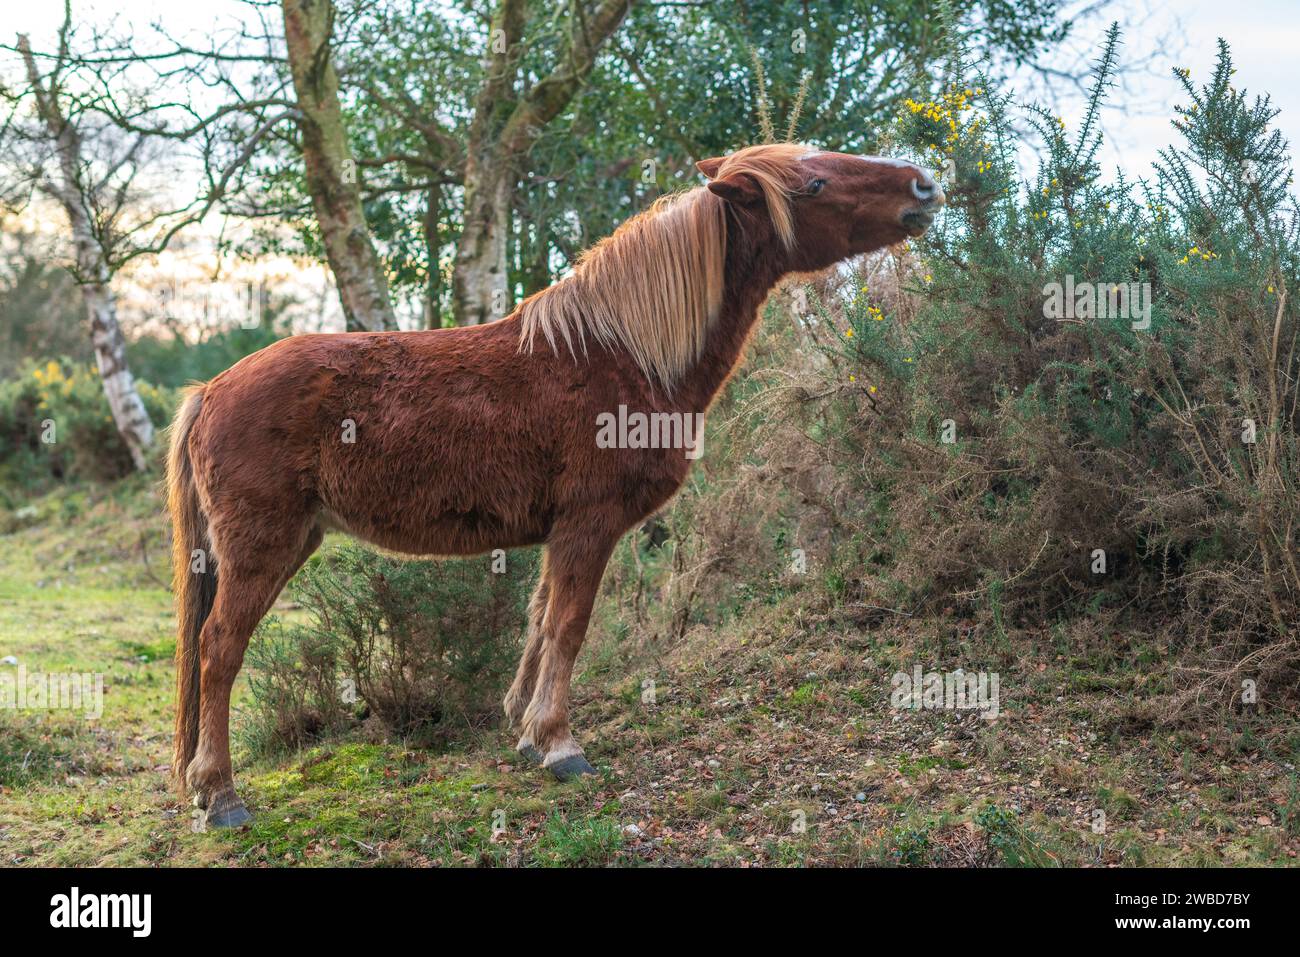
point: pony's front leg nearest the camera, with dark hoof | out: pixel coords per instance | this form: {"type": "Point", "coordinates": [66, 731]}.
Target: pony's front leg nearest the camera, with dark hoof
{"type": "Point", "coordinates": [575, 565]}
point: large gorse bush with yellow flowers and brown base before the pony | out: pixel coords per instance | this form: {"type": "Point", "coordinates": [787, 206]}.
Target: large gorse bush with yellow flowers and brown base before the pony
{"type": "Point", "coordinates": [1069, 410]}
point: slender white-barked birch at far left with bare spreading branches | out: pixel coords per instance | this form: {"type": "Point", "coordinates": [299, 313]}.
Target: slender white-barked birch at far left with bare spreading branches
{"type": "Point", "coordinates": [63, 141]}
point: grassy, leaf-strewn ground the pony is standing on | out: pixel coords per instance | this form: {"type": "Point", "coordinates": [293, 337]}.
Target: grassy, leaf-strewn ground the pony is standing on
{"type": "Point", "coordinates": [759, 747]}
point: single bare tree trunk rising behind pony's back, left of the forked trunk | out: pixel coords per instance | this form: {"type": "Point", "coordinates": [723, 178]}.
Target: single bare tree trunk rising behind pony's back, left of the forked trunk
{"type": "Point", "coordinates": [332, 172]}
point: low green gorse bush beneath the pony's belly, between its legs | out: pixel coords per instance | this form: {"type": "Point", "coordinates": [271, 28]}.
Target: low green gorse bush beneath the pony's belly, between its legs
{"type": "Point", "coordinates": [426, 648]}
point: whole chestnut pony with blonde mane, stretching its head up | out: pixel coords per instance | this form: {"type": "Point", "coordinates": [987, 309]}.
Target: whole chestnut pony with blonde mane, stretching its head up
{"type": "Point", "coordinates": [460, 441]}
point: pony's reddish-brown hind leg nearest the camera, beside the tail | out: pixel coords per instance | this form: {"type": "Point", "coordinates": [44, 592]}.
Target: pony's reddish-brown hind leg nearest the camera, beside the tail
{"type": "Point", "coordinates": [250, 577]}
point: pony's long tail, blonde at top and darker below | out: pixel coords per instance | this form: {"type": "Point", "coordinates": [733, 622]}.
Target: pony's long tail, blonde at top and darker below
{"type": "Point", "coordinates": [194, 583]}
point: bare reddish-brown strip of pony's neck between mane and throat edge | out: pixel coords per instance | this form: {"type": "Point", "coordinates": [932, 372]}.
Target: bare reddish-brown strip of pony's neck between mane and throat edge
{"type": "Point", "coordinates": [749, 278]}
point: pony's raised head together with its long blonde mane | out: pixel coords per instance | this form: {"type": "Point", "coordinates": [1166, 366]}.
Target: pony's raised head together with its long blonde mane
{"type": "Point", "coordinates": [656, 287]}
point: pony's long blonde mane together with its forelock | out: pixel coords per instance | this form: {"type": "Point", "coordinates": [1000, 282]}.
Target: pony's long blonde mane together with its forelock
{"type": "Point", "coordinates": [656, 287]}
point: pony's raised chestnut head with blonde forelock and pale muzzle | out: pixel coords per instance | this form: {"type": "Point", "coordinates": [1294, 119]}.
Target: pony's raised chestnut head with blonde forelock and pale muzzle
{"type": "Point", "coordinates": [825, 207]}
